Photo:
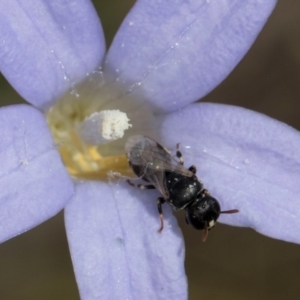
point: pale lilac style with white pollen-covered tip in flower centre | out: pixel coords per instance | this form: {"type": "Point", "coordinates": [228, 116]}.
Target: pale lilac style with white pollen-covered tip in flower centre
{"type": "Point", "coordinates": [103, 127]}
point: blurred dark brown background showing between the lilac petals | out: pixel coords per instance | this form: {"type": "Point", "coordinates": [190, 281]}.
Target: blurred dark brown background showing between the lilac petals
{"type": "Point", "coordinates": [235, 263]}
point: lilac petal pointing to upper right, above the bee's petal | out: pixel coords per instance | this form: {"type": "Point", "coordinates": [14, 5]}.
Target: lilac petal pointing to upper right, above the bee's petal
{"type": "Point", "coordinates": [175, 53]}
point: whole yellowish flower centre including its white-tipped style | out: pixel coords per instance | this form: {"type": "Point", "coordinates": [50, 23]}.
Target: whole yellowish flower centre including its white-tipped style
{"type": "Point", "coordinates": [88, 125]}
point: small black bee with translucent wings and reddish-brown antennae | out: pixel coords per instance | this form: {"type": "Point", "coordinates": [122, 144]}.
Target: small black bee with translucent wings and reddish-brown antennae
{"type": "Point", "coordinates": [177, 185]}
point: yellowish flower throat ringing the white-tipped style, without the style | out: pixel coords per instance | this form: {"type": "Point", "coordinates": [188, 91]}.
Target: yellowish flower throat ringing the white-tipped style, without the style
{"type": "Point", "coordinates": [83, 160]}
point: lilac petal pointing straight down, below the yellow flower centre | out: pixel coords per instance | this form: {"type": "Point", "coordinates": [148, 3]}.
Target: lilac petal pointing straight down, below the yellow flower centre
{"type": "Point", "coordinates": [115, 247]}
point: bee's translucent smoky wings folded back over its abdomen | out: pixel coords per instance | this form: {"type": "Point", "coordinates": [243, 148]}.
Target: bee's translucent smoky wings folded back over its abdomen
{"type": "Point", "coordinates": [153, 161]}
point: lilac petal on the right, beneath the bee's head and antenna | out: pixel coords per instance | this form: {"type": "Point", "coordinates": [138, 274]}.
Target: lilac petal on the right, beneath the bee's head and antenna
{"type": "Point", "coordinates": [247, 160]}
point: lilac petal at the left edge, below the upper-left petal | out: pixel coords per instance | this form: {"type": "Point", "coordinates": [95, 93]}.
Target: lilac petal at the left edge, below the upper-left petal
{"type": "Point", "coordinates": [34, 183]}
